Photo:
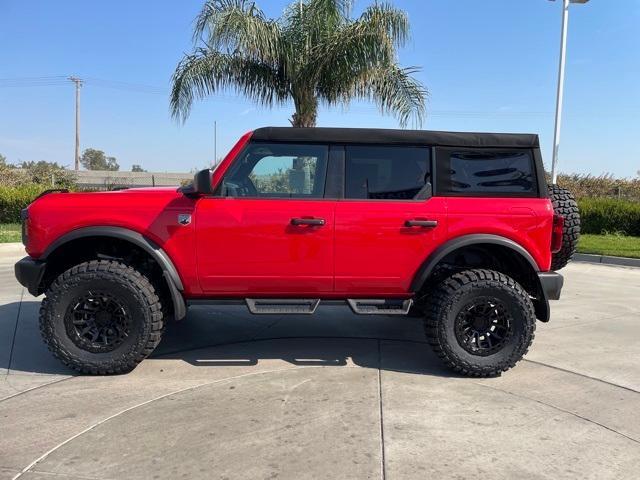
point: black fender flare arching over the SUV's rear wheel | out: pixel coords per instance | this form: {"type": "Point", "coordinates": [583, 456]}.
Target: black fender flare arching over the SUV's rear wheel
{"type": "Point", "coordinates": [422, 275]}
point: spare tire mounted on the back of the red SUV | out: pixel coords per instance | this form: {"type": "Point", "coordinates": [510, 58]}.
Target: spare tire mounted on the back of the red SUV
{"type": "Point", "coordinates": [565, 204]}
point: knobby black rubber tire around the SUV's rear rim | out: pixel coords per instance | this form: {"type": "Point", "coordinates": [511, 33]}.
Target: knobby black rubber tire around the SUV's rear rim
{"type": "Point", "coordinates": [446, 301]}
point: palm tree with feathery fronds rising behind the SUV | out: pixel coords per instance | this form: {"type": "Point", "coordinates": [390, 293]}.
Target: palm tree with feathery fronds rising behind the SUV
{"type": "Point", "coordinates": [315, 53]}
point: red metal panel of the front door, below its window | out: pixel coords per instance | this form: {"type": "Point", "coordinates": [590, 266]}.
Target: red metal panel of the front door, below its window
{"type": "Point", "coordinates": [249, 247]}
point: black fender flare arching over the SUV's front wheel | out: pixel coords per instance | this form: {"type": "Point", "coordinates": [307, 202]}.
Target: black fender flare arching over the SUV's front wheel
{"type": "Point", "coordinates": [169, 271]}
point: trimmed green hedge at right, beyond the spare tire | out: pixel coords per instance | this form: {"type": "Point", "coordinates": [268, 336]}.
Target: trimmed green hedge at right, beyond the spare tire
{"type": "Point", "coordinates": [604, 215]}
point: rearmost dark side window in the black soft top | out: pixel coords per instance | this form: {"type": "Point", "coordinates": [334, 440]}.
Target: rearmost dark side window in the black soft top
{"type": "Point", "coordinates": [486, 172]}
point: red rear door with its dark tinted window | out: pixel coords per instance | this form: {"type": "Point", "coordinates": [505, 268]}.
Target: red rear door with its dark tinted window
{"type": "Point", "coordinates": [388, 222]}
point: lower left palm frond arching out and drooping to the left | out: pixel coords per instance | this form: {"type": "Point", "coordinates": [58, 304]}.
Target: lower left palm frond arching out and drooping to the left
{"type": "Point", "coordinates": [205, 72]}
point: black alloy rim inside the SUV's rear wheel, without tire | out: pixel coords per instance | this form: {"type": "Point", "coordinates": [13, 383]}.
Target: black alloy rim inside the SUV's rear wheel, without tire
{"type": "Point", "coordinates": [484, 326]}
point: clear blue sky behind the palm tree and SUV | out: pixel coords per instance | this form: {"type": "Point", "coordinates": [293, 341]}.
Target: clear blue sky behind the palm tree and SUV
{"type": "Point", "coordinates": [490, 65]}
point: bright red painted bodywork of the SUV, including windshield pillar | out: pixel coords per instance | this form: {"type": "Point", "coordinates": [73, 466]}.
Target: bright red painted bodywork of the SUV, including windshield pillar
{"type": "Point", "coordinates": [244, 247]}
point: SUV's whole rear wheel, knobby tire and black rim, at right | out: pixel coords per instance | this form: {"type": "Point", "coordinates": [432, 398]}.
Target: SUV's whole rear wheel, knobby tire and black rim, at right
{"type": "Point", "coordinates": [479, 322]}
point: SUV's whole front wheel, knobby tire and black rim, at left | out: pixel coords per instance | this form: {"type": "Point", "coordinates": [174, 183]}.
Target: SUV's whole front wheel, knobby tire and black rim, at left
{"type": "Point", "coordinates": [101, 317]}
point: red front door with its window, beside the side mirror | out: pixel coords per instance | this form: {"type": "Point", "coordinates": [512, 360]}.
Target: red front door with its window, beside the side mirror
{"type": "Point", "coordinates": [270, 231]}
